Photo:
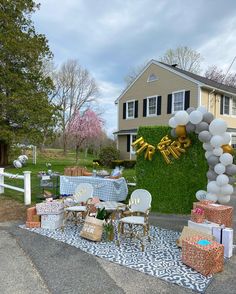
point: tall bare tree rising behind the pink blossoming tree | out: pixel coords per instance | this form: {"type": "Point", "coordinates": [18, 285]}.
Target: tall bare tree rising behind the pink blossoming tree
{"type": "Point", "coordinates": [74, 89]}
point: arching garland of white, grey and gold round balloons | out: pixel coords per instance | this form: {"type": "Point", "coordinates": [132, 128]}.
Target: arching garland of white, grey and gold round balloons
{"type": "Point", "coordinates": [212, 133]}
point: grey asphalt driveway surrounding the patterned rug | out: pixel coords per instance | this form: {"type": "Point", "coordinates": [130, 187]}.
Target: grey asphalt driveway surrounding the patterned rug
{"type": "Point", "coordinates": [31, 263]}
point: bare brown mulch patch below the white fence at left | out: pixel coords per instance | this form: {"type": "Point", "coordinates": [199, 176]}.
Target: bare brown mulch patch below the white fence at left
{"type": "Point", "coordinates": [11, 210]}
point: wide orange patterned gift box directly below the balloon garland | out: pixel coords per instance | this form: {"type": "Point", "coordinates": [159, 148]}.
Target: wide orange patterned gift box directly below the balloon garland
{"type": "Point", "coordinates": [220, 214]}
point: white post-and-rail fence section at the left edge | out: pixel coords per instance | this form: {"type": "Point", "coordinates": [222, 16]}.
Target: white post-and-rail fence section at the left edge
{"type": "Point", "coordinates": [27, 184]}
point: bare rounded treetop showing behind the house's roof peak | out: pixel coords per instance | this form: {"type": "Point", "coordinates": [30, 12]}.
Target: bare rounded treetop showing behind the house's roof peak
{"type": "Point", "coordinates": [185, 58]}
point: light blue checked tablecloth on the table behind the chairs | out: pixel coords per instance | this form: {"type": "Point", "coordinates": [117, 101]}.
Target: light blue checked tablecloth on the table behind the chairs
{"type": "Point", "coordinates": [105, 189]}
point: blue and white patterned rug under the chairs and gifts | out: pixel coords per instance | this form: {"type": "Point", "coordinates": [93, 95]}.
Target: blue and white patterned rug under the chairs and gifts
{"type": "Point", "coordinates": [161, 258]}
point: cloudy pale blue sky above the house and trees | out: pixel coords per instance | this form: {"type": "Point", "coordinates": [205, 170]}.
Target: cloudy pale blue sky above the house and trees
{"type": "Point", "coordinates": [109, 38]}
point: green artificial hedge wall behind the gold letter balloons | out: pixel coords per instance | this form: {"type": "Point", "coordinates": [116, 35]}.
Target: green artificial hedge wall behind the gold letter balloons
{"type": "Point", "coordinates": [173, 186]}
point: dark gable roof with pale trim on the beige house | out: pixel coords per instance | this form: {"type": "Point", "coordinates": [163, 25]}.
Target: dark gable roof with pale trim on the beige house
{"type": "Point", "coordinates": [199, 80]}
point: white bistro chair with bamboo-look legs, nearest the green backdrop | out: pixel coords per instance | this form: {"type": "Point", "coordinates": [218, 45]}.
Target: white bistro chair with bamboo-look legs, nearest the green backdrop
{"type": "Point", "coordinates": [136, 225]}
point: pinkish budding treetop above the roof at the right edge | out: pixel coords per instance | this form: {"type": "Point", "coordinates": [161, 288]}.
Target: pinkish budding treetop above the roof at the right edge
{"type": "Point", "coordinates": [217, 74]}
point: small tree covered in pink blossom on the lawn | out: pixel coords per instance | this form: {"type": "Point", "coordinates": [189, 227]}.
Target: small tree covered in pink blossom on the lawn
{"type": "Point", "coordinates": [84, 126]}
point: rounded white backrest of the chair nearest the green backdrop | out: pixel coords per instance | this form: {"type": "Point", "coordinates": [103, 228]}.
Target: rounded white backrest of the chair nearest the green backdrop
{"type": "Point", "coordinates": [140, 200]}
